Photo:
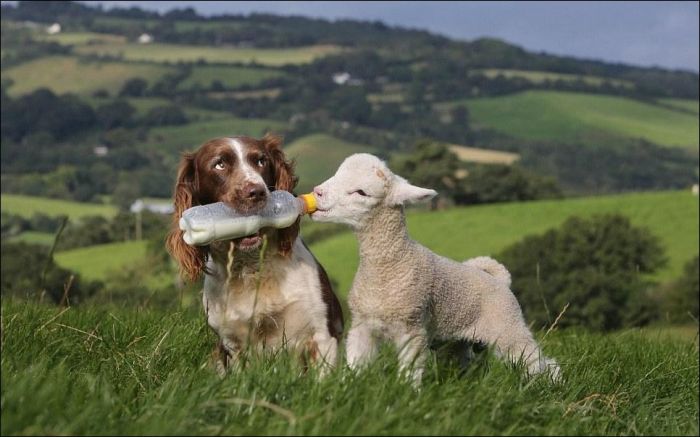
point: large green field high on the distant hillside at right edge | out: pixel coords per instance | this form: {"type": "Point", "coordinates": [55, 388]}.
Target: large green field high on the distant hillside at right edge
{"type": "Point", "coordinates": [565, 116]}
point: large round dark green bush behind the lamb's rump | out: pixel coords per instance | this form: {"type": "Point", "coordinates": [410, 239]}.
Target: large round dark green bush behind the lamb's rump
{"type": "Point", "coordinates": [595, 265]}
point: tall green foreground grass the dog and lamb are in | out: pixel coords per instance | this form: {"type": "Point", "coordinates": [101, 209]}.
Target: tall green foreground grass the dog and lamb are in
{"type": "Point", "coordinates": [115, 371]}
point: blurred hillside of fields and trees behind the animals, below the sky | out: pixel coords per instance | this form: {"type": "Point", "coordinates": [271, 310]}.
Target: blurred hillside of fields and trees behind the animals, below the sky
{"type": "Point", "coordinates": [98, 104]}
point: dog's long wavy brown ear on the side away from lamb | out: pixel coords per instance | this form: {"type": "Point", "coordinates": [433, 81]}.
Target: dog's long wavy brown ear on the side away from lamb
{"type": "Point", "coordinates": [191, 259]}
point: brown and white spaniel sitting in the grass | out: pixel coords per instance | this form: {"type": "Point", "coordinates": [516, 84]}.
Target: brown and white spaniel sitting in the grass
{"type": "Point", "coordinates": [292, 303]}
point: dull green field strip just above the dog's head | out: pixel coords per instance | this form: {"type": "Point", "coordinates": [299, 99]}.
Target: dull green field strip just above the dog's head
{"type": "Point", "coordinates": [176, 139]}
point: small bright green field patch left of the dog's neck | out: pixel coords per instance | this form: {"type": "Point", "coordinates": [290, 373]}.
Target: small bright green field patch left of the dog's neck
{"type": "Point", "coordinates": [96, 262]}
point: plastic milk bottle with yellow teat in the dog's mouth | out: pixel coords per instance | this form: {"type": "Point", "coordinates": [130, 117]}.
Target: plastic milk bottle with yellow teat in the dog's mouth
{"type": "Point", "coordinates": [217, 221]}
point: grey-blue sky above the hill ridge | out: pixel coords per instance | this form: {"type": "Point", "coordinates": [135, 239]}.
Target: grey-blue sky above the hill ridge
{"type": "Point", "coordinates": [641, 33]}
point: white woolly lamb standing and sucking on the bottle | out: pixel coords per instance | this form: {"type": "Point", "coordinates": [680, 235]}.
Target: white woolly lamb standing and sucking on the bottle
{"type": "Point", "coordinates": [403, 292]}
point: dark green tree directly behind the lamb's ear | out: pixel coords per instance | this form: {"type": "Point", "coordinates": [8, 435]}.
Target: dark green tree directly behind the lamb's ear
{"type": "Point", "coordinates": [431, 165]}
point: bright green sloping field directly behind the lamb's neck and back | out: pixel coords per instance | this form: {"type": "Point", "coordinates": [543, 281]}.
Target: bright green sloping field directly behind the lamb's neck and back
{"type": "Point", "coordinates": [462, 233]}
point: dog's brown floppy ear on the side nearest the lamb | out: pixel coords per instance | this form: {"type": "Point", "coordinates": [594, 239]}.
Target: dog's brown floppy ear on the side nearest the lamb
{"type": "Point", "coordinates": [284, 180]}
